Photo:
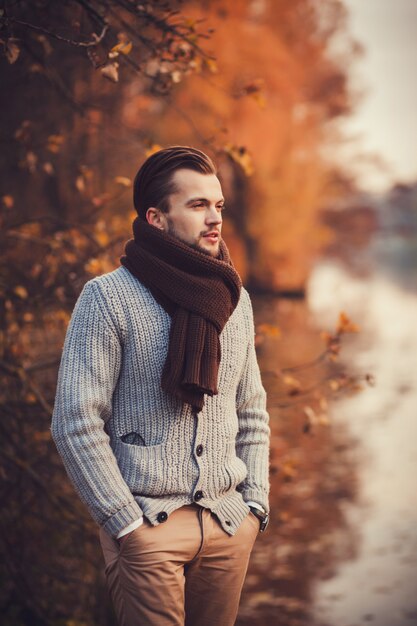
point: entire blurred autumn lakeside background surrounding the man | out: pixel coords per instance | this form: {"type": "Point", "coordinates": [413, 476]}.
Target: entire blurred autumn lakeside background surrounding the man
{"type": "Point", "coordinates": [309, 110]}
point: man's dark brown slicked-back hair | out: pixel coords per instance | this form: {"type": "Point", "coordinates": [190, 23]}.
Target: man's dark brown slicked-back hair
{"type": "Point", "coordinates": [153, 183]}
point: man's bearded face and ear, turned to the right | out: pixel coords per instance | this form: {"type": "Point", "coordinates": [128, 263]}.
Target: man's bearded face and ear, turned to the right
{"type": "Point", "coordinates": [195, 214]}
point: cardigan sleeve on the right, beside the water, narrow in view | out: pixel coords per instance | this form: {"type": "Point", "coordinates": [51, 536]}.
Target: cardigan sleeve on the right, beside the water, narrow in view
{"type": "Point", "coordinates": [253, 438]}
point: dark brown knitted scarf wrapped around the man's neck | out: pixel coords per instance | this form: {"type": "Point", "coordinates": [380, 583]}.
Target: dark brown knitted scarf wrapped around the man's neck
{"type": "Point", "coordinates": [199, 292]}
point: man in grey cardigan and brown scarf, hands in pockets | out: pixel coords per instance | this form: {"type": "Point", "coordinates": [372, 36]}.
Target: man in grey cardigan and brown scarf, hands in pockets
{"type": "Point", "coordinates": [160, 414]}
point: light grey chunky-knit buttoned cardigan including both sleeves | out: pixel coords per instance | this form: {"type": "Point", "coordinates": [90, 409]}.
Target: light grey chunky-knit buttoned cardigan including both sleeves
{"type": "Point", "coordinates": [131, 449]}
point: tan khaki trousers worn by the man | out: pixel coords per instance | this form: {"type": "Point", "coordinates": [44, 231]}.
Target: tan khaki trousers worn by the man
{"type": "Point", "coordinates": [187, 570]}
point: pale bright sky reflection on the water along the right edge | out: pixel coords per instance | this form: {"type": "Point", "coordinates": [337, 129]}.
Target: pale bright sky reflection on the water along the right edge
{"type": "Point", "coordinates": [380, 583]}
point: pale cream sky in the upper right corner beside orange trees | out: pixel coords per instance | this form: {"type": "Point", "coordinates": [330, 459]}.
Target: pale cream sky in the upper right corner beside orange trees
{"type": "Point", "coordinates": [385, 122]}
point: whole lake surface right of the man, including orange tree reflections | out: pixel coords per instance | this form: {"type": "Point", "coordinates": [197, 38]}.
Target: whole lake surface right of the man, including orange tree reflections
{"type": "Point", "coordinates": [342, 546]}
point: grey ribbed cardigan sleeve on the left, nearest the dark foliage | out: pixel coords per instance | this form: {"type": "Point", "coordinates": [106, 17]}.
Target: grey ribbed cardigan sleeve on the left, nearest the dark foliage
{"type": "Point", "coordinates": [87, 376]}
